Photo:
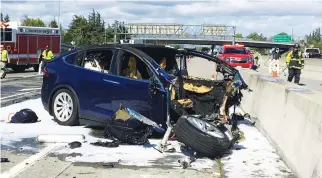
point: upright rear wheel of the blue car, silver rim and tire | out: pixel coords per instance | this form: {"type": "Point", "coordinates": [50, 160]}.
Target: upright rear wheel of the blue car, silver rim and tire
{"type": "Point", "coordinates": [64, 108]}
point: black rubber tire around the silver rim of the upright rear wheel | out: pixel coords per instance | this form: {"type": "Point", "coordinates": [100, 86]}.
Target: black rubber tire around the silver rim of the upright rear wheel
{"type": "Point", "coordinates": [73, 119]}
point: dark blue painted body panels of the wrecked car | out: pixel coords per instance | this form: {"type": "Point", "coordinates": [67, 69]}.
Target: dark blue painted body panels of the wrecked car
{"type": "Point", "coordinates": [99, 94]}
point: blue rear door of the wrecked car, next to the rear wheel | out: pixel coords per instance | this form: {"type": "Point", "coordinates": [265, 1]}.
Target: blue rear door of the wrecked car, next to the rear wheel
{"type": "Point", "coordinates": [95, 88]}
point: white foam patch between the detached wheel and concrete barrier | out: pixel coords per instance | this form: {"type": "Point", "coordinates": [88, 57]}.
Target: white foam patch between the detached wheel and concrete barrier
{"type": "Point", "coordinates": [255, 157]}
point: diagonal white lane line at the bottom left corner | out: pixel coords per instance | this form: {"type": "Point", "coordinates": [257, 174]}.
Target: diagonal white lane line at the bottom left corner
{"type": "Point", "coordinates": [29, 162]}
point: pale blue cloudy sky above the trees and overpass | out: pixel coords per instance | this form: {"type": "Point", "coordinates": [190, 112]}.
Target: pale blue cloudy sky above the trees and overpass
{"type": "Point", "coordinates": [269, 17]}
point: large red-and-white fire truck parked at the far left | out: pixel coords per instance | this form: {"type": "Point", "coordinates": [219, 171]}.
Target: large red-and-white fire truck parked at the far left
{"type": "Point", "coordinates": [25, 44]}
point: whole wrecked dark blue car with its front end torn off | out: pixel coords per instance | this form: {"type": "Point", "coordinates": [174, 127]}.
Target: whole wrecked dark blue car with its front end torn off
{"type": "Point", "coordinates": [88, 86]}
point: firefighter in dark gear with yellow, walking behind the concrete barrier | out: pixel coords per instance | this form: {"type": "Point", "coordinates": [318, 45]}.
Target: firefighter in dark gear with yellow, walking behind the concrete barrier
{"type": "Point", "coordinates": [295, 63]}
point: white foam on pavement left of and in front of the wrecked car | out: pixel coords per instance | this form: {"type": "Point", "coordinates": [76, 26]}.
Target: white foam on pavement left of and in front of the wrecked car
{"type": "Point", "coordinates": [129, 155]}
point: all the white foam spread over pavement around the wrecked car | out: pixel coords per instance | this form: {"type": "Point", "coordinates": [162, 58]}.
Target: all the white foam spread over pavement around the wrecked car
{"type": "Point", "coordinates": [258, 157]}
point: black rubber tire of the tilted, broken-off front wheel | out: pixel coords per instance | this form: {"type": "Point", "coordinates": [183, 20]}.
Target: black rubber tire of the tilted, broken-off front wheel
{"type": "Point", "coordinates": [199, 141]}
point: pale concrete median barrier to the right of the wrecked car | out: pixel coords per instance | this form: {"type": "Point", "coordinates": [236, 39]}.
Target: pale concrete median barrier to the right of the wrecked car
{"type": "Point", "coordinates": [291, 118]}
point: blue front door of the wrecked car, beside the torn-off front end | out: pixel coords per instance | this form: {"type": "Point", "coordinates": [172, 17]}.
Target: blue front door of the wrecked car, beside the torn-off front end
{"type": "Point", "coordinates": [136, 94]}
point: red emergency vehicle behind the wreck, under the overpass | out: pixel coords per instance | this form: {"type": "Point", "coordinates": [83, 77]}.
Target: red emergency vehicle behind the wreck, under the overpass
{"type": "Point", "coordinates": [236, 56]}
